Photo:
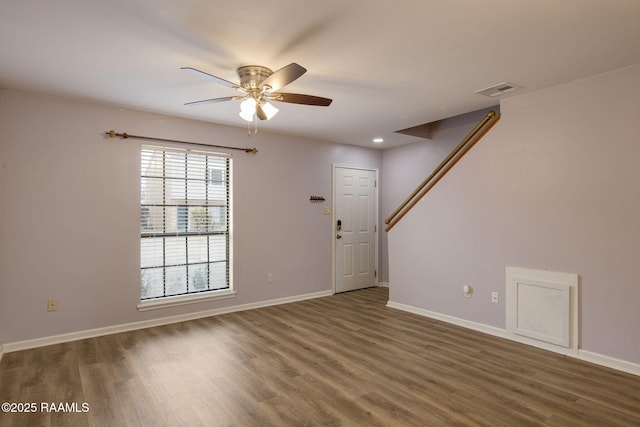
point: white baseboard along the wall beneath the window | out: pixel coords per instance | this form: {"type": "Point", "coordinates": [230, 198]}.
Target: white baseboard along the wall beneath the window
{"type": "Point", "coordinates": [108, 330]}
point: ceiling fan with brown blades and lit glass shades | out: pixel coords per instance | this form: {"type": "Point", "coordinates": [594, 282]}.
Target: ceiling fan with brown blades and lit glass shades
{"type": "Point", "coordinates": [258, 86]}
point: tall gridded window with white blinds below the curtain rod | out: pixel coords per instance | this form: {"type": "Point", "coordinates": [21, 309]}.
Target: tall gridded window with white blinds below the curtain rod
{"type": "Point", "coordinates": [185, 223]}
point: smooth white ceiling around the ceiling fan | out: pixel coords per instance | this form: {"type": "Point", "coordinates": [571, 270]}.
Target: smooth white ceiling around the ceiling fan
{"type": "Point", "coordinates": [388, 65]}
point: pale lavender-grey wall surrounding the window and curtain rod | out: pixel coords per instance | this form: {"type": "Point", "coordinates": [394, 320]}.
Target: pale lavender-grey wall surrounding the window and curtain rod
{"type": "Point", "coordinates": [69, 213]}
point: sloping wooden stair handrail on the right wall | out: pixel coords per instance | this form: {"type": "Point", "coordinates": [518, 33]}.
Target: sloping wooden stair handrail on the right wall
{"type": "Point", "coordinates": [456, 154]}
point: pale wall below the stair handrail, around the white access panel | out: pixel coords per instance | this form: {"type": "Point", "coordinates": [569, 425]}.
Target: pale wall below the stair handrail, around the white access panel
{"type": "Point", "coordinates": [553, 186]}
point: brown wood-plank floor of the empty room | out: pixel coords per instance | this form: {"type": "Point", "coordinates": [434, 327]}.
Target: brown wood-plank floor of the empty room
{"type": "Point", "coordinates": [341, 360]}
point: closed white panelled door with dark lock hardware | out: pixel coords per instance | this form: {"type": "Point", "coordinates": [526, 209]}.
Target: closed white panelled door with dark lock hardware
{"type": "Point", "coordinates": [355, 198]}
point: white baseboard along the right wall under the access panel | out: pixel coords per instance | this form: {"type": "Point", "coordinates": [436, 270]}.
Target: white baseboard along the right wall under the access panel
{"type": "Point", "coordinates": [598, 359]}
